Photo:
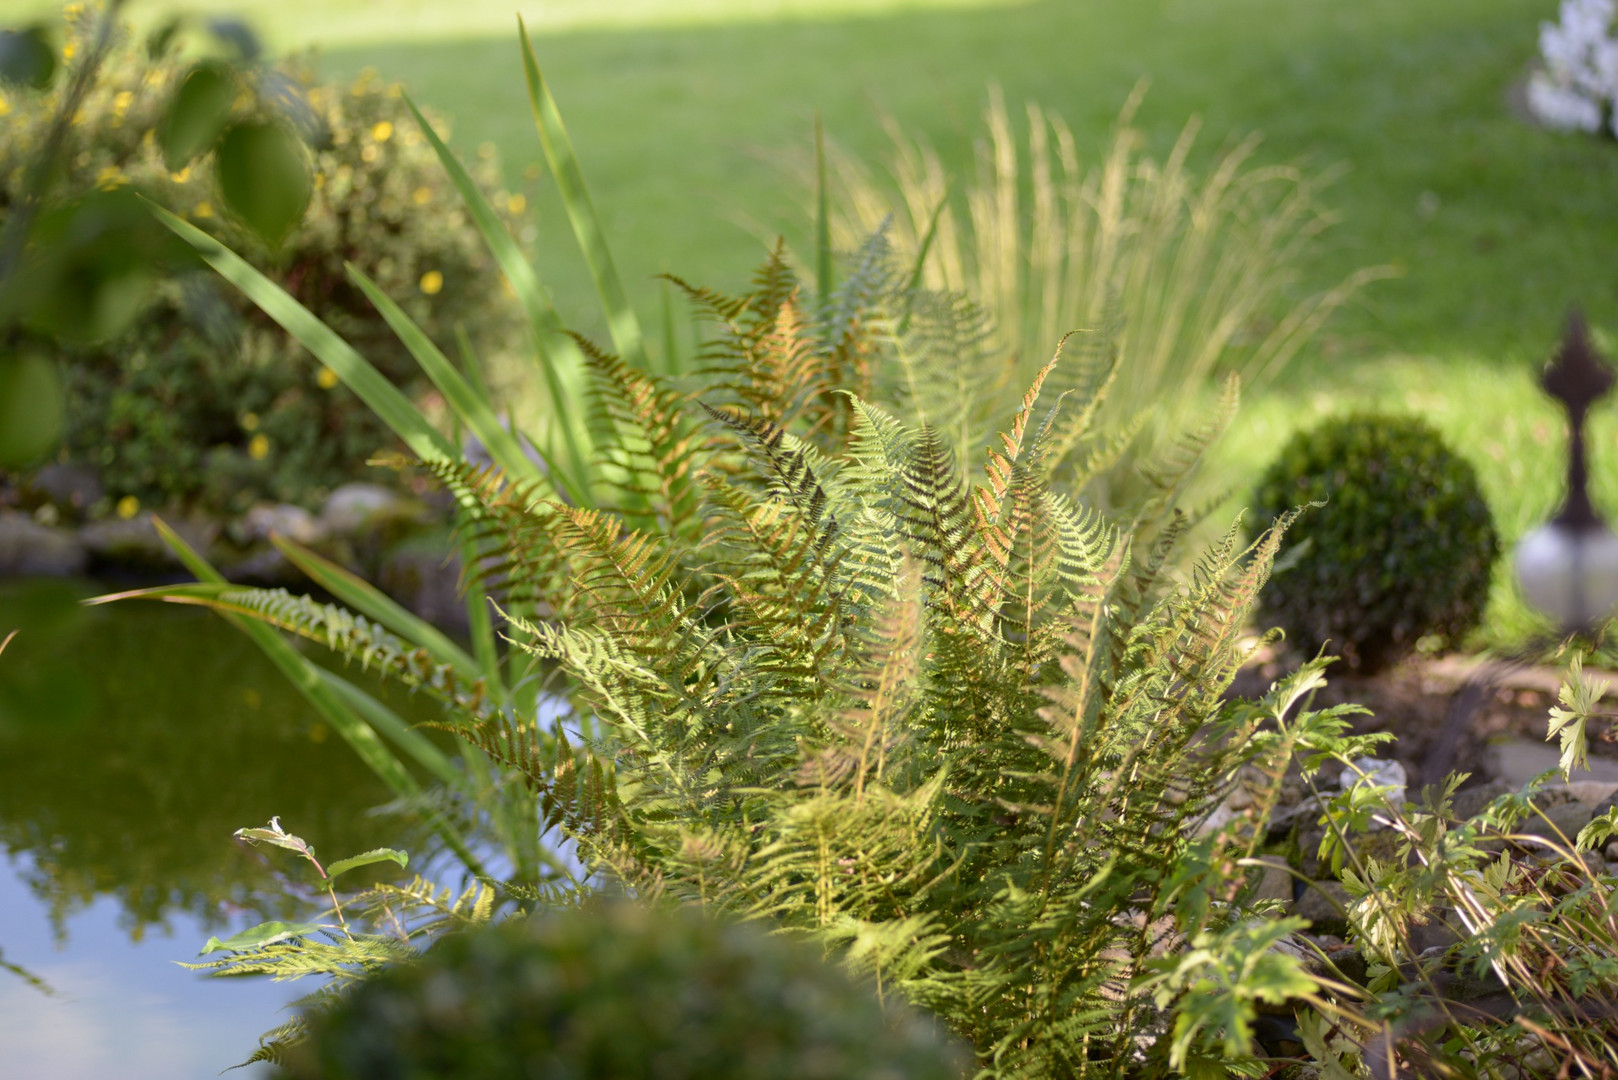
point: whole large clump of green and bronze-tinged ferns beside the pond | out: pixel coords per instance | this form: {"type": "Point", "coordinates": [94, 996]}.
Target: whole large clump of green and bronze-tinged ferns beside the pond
{"type": "Point", "coordinates": [964, 734]}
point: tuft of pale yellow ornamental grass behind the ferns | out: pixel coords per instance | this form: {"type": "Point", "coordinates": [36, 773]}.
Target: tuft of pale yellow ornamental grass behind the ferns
{"type": "Point", "coordinates": [1190, 274]}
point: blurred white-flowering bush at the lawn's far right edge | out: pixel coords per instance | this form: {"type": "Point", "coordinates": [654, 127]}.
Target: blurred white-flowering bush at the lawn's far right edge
{"type": "Point", "coordinates": [1578, 87]}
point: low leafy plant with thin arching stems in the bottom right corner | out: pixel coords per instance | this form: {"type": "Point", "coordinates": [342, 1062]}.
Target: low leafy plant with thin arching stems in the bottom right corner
{"type": "Point", "coordinates": [1528, 985]}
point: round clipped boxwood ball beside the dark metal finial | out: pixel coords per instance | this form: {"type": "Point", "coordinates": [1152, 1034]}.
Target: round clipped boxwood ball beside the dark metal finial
{"type": "Point", "coordinates": [1402, 548]}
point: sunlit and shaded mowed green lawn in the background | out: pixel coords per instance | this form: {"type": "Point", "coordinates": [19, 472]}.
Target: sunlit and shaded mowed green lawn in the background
{"type": "Point", "coordinates": [688, 117]}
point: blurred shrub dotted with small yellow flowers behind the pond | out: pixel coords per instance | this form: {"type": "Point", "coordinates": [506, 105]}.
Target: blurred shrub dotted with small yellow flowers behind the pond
{"type": "Point", "coordinates": [203, 401]}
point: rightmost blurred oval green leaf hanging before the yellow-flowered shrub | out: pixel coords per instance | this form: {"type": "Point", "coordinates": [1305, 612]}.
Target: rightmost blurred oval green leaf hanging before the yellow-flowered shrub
{"type": "Point", "coordinates": [265, 177]}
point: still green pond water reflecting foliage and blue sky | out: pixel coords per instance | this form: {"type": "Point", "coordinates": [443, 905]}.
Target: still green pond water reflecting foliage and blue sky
{"type": "Point", "coordinates": [133, 741]}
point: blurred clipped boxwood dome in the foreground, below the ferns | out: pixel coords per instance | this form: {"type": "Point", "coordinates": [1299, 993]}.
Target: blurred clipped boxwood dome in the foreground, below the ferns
{"type": "Point", "coordinates": [621, 992]}
